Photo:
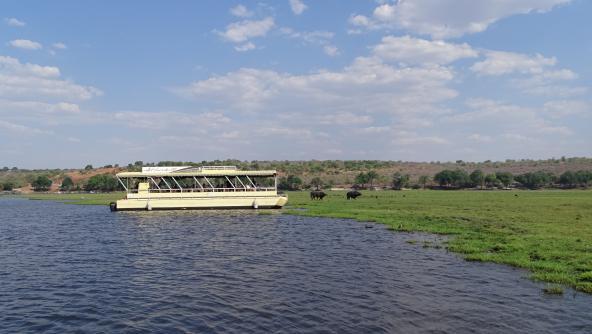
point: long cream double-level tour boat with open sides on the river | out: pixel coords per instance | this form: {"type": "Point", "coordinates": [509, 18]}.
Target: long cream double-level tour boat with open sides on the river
{"type": "Point", "coordinates": [207, 187]}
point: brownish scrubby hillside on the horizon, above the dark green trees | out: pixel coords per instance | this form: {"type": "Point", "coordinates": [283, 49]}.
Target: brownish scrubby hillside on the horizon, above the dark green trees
{"type": "Point", "coordinates": [331, 172]}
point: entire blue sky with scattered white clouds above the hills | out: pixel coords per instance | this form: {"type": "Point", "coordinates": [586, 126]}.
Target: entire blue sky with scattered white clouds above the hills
{"type": "Point", "coordinates": [117, 81]}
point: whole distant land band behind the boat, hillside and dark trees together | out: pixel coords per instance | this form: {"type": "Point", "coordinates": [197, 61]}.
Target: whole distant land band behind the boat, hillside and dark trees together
{"type": "Point", "coordinates": [532, 174]}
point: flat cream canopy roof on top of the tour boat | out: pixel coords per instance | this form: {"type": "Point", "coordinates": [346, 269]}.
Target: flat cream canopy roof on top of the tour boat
{"type": "Point", "coordinates": [196, 171]}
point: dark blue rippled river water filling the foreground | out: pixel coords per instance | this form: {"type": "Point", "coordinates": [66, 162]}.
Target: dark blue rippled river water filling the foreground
{"type": "Point", "coordinates": [67, 268]}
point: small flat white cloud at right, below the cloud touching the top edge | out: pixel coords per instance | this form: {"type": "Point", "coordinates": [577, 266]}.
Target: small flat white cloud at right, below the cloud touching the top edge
{"type": "Point", "coordinates": [500, 62]}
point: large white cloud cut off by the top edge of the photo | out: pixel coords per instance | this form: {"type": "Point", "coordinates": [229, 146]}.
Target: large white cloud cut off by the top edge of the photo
{"type": "Point", "coordinates": [446, 19]}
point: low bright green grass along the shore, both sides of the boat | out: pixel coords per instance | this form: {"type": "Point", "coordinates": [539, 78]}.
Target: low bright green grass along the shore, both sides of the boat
{"type": "Point", "coordinates": [548, 232]}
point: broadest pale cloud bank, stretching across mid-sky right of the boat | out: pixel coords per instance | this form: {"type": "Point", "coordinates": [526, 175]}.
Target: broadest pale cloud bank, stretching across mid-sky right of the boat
{"type": "Point", "coordinates": [367, 84]}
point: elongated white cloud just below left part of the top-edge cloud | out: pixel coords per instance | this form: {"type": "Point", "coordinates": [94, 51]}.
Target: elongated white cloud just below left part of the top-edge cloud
{"type": "Point", "coordinates": [412, 50]}
